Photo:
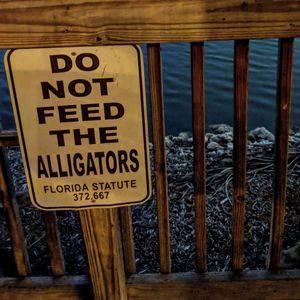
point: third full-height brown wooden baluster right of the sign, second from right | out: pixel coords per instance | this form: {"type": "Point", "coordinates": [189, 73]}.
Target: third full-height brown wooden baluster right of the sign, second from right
{"type": "Point", "coordinates": [239, 150]}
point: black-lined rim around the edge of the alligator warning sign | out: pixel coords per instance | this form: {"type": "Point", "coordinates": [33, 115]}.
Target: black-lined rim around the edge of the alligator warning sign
{"type": "Point", "coordinates": [146, 152]}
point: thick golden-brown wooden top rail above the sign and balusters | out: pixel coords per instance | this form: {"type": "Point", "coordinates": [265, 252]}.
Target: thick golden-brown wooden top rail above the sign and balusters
{"type": "Point", "coordinates": [52, 23]}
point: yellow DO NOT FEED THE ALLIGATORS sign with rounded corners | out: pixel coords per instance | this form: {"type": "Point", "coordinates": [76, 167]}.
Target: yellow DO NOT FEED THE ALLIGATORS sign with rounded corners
{"type": "Point", "coordinates": [82, 125]}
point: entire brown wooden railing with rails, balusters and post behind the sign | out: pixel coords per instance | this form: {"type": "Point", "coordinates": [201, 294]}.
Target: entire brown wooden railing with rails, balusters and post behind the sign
{"type": "Point", "coordinates": [108, 232]}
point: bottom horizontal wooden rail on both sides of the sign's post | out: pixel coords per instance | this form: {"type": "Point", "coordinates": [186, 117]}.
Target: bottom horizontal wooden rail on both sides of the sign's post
{"type": "Point", "coordinates": [224, 285]}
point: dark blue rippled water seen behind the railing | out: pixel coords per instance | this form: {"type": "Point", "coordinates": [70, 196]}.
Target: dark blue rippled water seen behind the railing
{"type": "Point", "coordinates": [218, 84]}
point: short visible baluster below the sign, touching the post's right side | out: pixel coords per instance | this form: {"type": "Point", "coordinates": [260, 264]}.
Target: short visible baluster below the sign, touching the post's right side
{"type": "Point", "coordinates": [127, 240]}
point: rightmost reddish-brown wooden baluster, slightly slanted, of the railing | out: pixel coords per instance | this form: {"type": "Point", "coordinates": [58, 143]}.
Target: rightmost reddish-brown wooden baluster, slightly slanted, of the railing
{"type": "Point", "coordinates": [281, 157]}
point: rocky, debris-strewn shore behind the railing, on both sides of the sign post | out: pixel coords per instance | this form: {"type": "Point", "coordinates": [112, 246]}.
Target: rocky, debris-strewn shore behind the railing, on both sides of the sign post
{"type": "Point", "coordinates": [219, 147]}
